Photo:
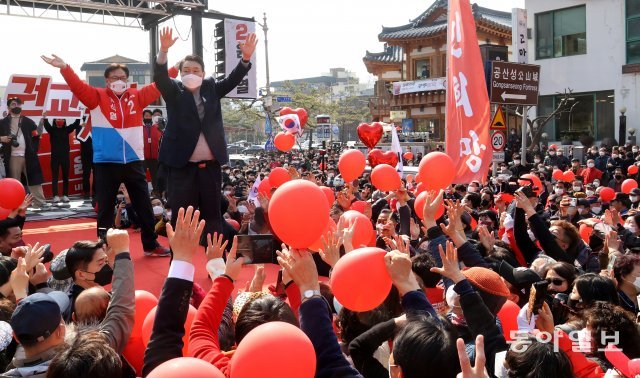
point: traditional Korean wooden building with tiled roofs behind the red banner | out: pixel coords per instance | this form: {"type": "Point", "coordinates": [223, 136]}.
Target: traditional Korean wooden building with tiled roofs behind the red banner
{"type": "Point", "coordinates": [411, 71]}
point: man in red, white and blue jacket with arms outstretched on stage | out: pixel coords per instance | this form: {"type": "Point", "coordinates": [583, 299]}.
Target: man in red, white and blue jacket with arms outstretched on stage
{"type": "Point", "coordinates": [118, 144]}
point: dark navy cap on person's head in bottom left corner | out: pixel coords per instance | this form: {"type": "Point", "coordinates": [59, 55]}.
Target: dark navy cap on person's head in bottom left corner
{"type": "Point", "coordinates": [37, 316]}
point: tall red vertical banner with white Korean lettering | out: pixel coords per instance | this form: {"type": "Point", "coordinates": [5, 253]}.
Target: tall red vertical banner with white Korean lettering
{"type": "Point", "coordinates": [468, 111]}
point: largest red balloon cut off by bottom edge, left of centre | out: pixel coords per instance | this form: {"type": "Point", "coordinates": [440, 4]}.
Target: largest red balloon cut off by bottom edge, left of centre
{"type": "Point", "coordinates": [269, 342]}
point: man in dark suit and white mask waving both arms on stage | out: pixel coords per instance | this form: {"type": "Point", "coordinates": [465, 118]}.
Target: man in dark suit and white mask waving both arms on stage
{"type": "Point", "coordinates": [194, 145]}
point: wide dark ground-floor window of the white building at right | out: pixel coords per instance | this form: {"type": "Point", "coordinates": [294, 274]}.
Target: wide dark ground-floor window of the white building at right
{"type": "Point", "coordinates": [590, 113]}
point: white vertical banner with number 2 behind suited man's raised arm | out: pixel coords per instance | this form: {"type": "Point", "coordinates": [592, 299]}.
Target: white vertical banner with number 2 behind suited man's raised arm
{"type": "Point", "coordinates": [236, 32]}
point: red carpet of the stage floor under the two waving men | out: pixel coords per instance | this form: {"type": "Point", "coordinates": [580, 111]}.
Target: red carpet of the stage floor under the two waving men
{"type": "Point", "coordinates": [150, 272]}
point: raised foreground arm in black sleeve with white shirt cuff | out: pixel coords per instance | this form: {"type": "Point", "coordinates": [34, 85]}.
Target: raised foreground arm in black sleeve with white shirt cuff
{"type": "Point", "coordinates": [165, 342]}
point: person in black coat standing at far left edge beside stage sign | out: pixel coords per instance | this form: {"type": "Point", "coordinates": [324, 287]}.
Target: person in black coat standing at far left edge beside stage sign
{"type": "Point", "coordinates": [20, 138]}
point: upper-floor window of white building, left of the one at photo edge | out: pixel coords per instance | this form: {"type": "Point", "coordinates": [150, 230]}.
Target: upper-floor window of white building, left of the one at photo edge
{"type": "Point", "coordinates": [561, 32]}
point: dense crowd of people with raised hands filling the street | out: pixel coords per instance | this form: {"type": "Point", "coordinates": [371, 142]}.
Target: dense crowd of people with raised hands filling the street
{"type": "Point", "coordinates": [453, 274]}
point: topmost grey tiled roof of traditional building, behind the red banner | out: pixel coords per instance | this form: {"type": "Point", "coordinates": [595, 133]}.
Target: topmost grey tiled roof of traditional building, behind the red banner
{"type": "Point", "coordinates": [421, 26]}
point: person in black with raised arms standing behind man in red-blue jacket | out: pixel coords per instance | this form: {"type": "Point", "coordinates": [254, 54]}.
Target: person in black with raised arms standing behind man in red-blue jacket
{"type": "Point", "coordinates": [59, 140]}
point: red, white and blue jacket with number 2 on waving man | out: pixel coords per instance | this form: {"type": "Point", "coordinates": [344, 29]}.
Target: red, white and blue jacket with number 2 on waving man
{"type": "Point", "coordinates": [116, 121]}
